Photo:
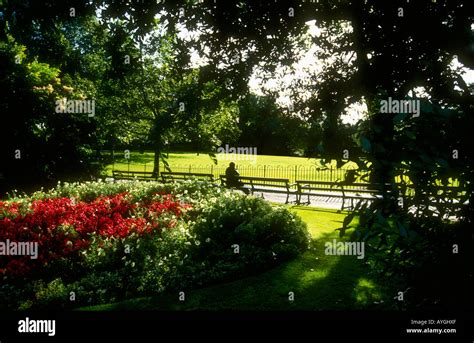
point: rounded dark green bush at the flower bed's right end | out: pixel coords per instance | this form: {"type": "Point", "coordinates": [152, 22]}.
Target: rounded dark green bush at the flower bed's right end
{"type": "Point", "coordinates": [234, 236]}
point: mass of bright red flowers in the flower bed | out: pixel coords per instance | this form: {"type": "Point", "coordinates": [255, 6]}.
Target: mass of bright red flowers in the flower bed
{"type": "Point", "coordinates": [63, 226]}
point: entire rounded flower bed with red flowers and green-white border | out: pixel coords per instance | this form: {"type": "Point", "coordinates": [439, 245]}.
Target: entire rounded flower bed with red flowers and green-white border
{"type": "Point", "coordinates": [101, 242]}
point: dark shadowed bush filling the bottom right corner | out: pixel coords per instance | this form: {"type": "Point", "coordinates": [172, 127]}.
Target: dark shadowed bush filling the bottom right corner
{"type": "Point", "coordinates": [429, 256]}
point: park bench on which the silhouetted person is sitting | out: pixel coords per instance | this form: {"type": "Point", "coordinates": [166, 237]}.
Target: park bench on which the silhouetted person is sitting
{"type": "Point", "coordinates": [264, 185]}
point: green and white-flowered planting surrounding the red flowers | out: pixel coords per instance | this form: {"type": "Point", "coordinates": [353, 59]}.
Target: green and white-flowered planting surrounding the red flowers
{"type": "Point", "coordinates": [222, 236]}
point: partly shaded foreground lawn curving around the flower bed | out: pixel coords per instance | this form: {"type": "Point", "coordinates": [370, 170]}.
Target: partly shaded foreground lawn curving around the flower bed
{"type": "Point", "coordinates": [319, 281]}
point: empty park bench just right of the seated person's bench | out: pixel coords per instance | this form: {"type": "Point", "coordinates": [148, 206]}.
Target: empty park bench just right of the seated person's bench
{"type": "Point", "coordinates": [355, 191]}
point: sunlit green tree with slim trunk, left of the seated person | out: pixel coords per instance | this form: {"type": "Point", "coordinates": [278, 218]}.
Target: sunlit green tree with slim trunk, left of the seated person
{"type": "Point", "coordinates": [158, 98]}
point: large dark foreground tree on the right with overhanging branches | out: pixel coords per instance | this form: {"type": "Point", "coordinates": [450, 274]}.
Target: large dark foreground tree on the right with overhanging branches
{"type": "Point", "coordinates": [373, 50]}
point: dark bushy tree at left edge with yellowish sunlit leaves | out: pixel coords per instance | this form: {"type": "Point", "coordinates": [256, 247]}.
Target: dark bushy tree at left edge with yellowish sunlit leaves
{"type": "Point", "coordinates": [33, 144]}
